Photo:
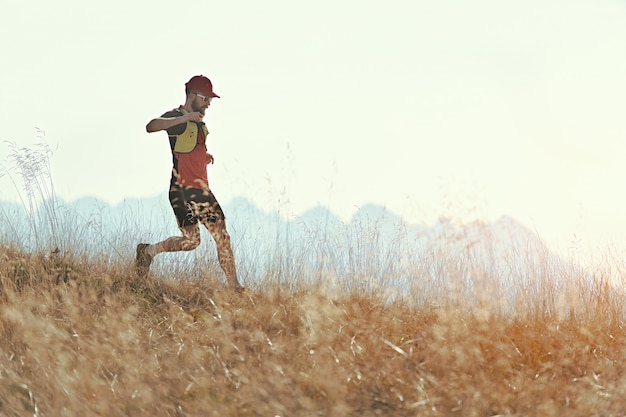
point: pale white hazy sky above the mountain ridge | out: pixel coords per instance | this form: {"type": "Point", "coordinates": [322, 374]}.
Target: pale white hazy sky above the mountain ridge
{"type": "Point", "coordinates": [430, 108]}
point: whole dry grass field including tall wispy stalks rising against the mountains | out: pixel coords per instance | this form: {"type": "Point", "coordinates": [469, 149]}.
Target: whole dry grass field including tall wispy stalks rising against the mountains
{"type": "Point", "coordinates": [82, 335]}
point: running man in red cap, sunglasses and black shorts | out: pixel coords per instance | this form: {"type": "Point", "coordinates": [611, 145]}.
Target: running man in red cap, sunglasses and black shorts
{"type": "Point", "coordinates": [190, 196]}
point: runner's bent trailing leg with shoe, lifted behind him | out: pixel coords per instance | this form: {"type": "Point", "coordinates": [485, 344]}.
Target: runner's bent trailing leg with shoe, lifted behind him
{"type": "Point", "coordinates": [146, 252]}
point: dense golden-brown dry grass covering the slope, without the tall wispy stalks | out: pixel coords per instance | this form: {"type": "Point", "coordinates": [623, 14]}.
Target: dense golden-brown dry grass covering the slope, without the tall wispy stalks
{"type": "Point", "coordinates": [83, 338]}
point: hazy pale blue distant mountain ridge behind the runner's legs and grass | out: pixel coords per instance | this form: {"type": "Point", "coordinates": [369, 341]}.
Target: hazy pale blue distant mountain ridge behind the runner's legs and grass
{"type": "Point", "coordinates": [375, 245]}
